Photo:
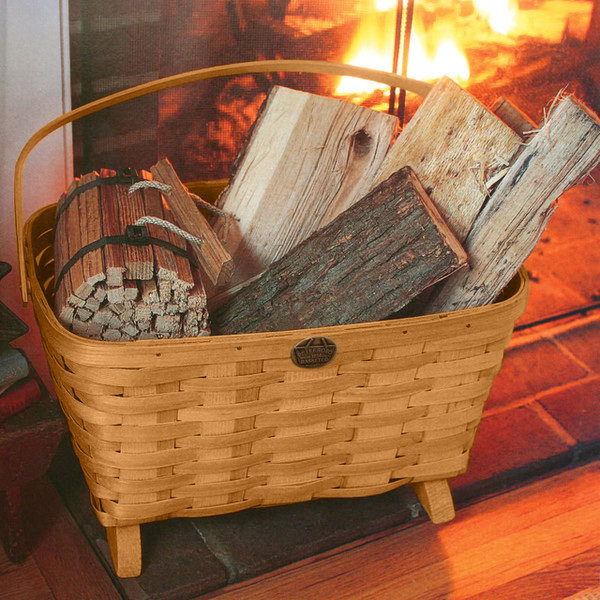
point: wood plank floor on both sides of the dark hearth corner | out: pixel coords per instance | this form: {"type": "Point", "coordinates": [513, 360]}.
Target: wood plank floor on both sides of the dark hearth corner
{"type": "Point", "coordinates": [538, 542]}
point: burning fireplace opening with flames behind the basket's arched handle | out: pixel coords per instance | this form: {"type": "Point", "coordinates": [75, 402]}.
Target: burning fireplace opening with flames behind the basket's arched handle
{"type": "Point", "coordinates": [524, 50]}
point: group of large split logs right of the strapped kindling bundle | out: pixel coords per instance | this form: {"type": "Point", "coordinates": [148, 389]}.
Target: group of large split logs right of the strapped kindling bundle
{"type": "Point", "coordinates": [493, 176]}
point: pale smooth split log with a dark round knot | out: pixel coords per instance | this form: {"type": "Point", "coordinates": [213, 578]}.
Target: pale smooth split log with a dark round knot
{"type": "Point", "coordinates": [307, 159]}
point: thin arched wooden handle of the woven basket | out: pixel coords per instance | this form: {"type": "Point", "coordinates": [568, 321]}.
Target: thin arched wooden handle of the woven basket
{"type": "Point", "coordinates": [307, 66]}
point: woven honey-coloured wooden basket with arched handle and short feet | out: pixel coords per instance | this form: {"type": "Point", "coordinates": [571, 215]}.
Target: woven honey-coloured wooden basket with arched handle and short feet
{"type": "Point", "coordinates": [204, 426]}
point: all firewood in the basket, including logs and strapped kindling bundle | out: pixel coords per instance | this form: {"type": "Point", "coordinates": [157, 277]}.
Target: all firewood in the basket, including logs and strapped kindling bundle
{"type": "Point", "coordinates": [332, 222]}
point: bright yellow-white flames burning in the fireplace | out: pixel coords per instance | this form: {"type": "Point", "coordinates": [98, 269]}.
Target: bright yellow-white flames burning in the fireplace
{"type": "Point", "coordinates": [442, 37]}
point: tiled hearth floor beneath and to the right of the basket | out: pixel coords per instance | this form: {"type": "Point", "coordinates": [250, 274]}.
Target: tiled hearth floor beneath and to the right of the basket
{"type": "Point", "coordinates": [543, 414]}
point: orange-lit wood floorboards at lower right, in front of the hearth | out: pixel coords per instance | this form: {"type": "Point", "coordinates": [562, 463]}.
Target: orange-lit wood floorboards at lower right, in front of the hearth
{"type": "Point", "coordinates": [541, 541]}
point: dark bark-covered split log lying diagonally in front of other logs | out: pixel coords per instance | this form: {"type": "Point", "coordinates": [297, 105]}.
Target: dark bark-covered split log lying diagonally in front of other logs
{"type": "Point", "coordinates": [368, 262]}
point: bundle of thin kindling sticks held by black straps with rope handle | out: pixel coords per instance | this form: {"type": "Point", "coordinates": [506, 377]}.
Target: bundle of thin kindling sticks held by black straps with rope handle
{"type": "Point", "coordinates": [119, 278]}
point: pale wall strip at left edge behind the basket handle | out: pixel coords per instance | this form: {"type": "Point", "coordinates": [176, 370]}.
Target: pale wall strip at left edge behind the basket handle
{"type": "Point", "coordinates": [33, 82]}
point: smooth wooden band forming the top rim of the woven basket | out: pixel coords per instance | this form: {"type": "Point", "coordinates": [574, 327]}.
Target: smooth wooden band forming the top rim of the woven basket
{"type": "Point", "coordinates": [88, 351]}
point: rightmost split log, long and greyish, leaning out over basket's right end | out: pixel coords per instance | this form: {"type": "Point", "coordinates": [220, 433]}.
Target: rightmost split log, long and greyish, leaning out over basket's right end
{"type": "Point", "coordinates": [561, 154]}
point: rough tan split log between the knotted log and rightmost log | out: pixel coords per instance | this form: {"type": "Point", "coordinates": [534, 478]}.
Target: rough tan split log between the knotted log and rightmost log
{"type": "Point", "coordinates": [455, 146]}
